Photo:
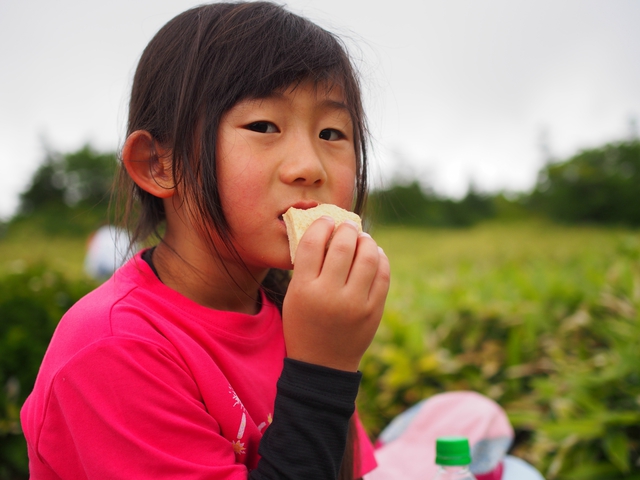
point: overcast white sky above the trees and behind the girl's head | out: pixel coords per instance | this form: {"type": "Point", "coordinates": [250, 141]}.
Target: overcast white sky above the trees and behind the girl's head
{"type": "Point", "coordinates": [457, 90]}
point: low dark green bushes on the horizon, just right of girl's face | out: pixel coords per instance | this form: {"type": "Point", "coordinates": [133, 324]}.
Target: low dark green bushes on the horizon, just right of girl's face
{"type": "Point", "coordinates": [411, 205]}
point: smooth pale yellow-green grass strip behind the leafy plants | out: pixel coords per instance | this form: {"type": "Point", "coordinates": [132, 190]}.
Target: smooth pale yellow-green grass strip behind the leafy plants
{"type": "Point", "coordinates": [433, 258]}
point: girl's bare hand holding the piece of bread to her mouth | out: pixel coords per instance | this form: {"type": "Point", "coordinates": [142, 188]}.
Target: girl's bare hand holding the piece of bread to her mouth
{"type": "Point", "coordinates": [335, 300]}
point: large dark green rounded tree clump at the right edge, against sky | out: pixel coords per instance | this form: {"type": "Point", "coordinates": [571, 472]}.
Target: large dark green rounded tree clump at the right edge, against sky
{"type": "Point", "coordinates": [600, 185]}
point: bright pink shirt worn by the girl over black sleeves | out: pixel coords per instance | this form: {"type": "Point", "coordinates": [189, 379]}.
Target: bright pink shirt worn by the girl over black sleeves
{"type": "Point", "coordinates": [141, 382]}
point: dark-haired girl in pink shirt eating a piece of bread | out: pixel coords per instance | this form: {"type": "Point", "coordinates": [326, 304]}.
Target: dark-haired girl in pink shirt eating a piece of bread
{"type": "Point", "coordinates": [198, 358]}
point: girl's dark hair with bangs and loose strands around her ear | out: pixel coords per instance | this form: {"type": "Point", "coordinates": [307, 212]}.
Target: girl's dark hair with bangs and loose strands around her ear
{"type": "Point", "coordinates": [196, 68]}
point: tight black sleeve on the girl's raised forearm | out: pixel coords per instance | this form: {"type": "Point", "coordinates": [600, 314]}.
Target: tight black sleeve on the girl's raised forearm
{"type": "Point", "coordinates": [308, 435]}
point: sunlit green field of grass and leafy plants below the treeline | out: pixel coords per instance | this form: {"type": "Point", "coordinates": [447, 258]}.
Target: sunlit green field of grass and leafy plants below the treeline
{"type": "Point", "coordinates": [542, 318]}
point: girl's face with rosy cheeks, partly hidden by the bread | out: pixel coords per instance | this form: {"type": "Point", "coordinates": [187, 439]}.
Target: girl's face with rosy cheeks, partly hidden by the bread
{"type": "Point", "coordinates": [293, 148]}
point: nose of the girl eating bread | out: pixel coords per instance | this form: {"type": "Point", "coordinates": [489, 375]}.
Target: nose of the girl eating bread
{"type": "Point", "coordinates": [303, 165]}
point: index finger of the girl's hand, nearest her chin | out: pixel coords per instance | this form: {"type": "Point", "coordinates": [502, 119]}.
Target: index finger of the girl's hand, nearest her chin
{"type": "Point", "coordinates": [312, 247]}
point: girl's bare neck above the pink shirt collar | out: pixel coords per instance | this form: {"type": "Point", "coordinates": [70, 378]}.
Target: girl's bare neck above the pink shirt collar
{"type": "Point", "coordinates": [201, 277]}
